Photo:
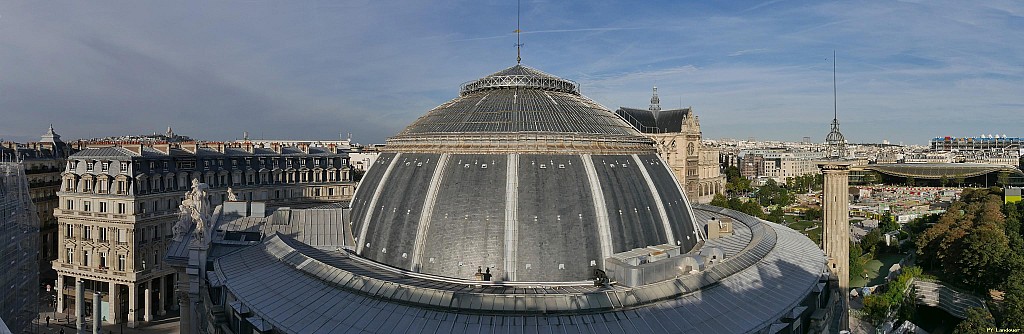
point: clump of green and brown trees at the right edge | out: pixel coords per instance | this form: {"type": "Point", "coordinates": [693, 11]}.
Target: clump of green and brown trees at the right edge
{"type": "Point", "coordinates": [977, 245]}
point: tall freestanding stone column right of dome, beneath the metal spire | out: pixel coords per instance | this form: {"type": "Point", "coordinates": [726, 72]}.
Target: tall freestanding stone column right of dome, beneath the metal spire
{"type": "Point", "coordinates": [836, 229]}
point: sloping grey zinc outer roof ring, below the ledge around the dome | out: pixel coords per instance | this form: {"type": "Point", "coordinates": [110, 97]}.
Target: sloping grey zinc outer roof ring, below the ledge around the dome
{"type": "Point", "coordinates": [295, 299]}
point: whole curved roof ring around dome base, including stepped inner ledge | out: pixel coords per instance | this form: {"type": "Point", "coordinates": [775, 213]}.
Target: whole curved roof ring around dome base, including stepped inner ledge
{"type": "Point", "coordinates": [769, 274]}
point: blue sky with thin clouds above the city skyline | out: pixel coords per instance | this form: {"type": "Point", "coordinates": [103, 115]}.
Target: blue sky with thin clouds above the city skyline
{"type": "Point", "coordinates": [908, 71]}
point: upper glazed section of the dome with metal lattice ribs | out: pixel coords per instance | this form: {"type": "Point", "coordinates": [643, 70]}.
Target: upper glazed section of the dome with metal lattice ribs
{"type": "Point", "coordinates": [523, 101]}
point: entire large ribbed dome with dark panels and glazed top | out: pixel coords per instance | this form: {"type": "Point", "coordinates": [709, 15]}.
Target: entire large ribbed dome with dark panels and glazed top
{"type": "Point", "coordinates": [523, 176]}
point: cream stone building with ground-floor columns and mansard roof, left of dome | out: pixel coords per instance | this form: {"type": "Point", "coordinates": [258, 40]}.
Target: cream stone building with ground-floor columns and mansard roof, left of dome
{"type": "Point", "coordinates": [118, 203]}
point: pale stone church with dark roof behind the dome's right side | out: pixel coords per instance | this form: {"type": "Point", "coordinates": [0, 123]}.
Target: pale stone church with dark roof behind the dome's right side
{"type": "Point", "coordinates": [678, 138]}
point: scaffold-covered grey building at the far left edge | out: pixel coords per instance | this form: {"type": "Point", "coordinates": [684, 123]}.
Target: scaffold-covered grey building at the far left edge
{"type": "Point", "coordinates": [19, 249]}
